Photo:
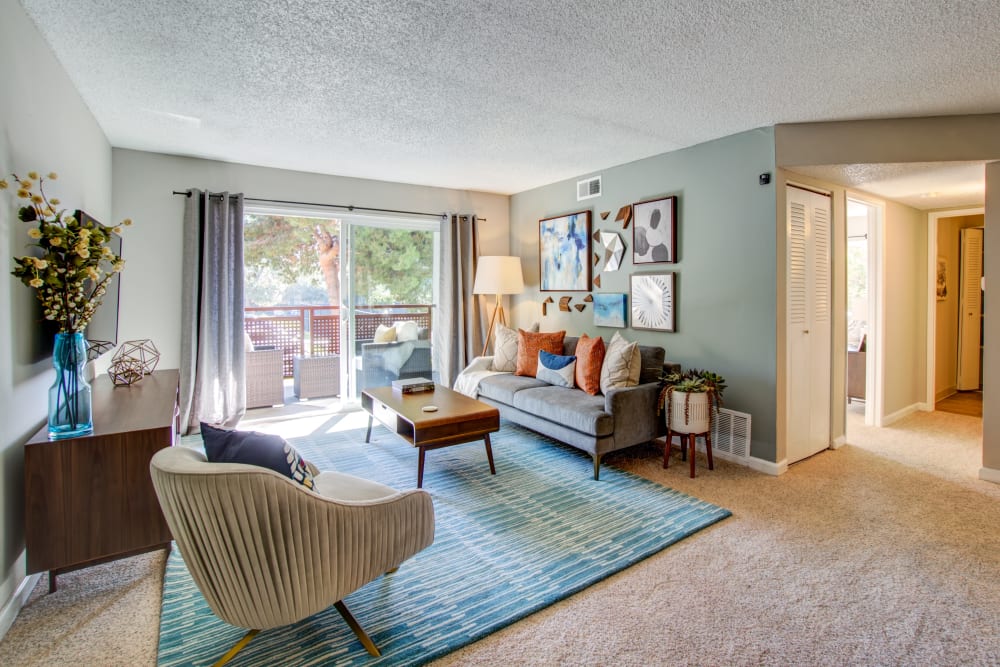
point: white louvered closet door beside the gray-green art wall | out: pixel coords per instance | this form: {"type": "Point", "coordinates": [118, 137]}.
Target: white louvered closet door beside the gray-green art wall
{"type": "Point", "coordinates": [809, 322]}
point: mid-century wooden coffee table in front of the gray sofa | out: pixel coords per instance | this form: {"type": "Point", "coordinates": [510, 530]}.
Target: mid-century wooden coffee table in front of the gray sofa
{"type": "Point", "coordinates": [458, 419]}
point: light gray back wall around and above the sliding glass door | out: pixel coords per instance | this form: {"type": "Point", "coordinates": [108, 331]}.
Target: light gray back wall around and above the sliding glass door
{"type": "Point", "coordinates": [150, 302]}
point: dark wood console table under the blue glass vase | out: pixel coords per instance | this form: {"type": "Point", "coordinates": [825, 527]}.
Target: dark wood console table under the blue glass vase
{"type": "Point", "coordinates": [90, 499]}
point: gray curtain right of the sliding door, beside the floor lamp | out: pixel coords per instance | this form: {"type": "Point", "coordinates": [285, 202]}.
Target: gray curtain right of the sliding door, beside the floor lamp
{"type": "Point", "coordinates": [460, 337]}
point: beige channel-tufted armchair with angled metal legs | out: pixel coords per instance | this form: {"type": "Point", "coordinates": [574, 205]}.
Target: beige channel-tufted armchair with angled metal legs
{"type": "Point", "coordinates": [222, 516]}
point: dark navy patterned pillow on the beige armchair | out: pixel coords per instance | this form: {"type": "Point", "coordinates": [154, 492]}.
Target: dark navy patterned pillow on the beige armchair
{"type": "Point", "coordinates": [253, 448]}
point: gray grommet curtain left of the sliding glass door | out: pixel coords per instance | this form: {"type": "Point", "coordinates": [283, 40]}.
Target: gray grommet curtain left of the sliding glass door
{"type": "Point", "coordinates": [212, 366]}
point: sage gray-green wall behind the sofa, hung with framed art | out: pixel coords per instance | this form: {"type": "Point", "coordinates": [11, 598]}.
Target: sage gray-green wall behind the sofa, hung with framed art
{"type": "Point", "coordinates": [725, 276]}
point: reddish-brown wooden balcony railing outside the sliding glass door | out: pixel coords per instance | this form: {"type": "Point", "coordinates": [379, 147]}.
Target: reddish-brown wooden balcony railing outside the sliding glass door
{"type": "Point", "coordinates": [315, 330]}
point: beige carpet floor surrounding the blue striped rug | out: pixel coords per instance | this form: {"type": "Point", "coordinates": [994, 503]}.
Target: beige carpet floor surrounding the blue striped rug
{"type": "Point", "coordinates": [885, 551]}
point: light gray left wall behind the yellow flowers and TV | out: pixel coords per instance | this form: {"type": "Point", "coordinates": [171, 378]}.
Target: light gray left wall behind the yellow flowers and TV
{"type": "Point", "coordinates": [44, 126]}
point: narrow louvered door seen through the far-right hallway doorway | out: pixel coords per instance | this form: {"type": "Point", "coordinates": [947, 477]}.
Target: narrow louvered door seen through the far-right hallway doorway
{"type": "Point", "coordinates": [970, 309]}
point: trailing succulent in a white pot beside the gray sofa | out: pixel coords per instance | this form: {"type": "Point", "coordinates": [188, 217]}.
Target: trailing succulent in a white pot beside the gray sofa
{"type": "Point", "coordinates": [690, 398]}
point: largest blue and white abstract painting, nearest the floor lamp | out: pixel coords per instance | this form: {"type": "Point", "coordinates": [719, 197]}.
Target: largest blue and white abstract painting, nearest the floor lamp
{"type": "Point", "coordinates": [564, 253]}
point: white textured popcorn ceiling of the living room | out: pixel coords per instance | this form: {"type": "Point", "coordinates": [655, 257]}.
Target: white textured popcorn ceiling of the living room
{"type": "Point", "coordinates": [505, 95]}
